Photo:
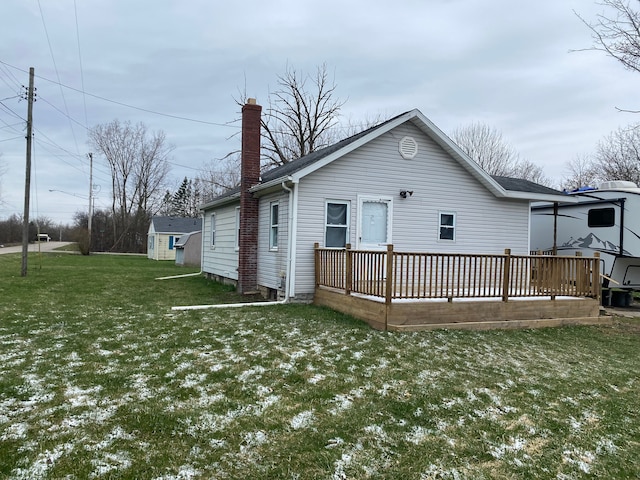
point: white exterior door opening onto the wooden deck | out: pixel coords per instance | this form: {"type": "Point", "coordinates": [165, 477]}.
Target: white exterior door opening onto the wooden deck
{"type": "Point", "coordinates": [374, 223]}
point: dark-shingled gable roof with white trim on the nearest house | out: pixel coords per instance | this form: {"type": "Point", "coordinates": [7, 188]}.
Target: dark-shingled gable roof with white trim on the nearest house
{"type": "Point", "coordinates": [502, 187]}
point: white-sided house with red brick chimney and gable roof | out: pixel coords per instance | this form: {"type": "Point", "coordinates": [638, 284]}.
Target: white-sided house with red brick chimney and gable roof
{"type": "Point", "coordinates": [402, 182]}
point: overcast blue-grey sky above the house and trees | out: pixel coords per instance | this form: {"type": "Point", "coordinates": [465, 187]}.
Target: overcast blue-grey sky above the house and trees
{"type": "Point", "coordinates": [503, 63]}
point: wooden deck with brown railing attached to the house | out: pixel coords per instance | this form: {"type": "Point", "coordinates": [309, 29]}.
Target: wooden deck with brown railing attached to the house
{"type": "Point", "coordinates": [418, 291]}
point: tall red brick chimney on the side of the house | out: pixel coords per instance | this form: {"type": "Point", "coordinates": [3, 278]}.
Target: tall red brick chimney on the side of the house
{"type": "Point", "coordinates": [250, 176]}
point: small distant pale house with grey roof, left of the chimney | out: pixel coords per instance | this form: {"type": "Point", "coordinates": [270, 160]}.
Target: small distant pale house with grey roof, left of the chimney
{"type": "Point", "coordinates": [163, 233]}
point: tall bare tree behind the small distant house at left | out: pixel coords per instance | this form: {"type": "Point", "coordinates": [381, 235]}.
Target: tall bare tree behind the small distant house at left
{"type": "Point", "coordinates": [139, 166]}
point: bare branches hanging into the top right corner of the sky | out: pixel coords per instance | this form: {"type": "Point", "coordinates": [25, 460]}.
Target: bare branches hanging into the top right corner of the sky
{"type": "Point", "coordinates": [617, 32]}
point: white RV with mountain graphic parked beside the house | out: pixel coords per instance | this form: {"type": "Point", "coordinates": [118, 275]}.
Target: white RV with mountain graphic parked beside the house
{"type": "Point", "coordinates": [604, 219]}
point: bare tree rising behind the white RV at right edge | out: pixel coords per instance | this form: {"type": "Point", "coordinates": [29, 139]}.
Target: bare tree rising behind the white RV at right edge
{"type": "Point", "coordinates": [617, 156]}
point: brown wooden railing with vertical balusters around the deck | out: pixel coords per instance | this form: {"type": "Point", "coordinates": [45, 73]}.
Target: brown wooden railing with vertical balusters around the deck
{"type": "Point", "coordinates": [403, 275]}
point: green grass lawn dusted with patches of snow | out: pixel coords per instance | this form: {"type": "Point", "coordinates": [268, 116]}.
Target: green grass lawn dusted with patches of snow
{"type": "Point", "coordinates": [100, 379]}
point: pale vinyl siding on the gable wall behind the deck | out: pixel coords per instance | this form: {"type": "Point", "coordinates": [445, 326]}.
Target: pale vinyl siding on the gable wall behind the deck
{"type": "Point", "coordinates": [484, 223]}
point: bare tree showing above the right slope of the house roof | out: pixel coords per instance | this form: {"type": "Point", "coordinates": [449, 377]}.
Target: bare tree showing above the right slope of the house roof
{"type": "Point", "coordinates": [487, 147]}
